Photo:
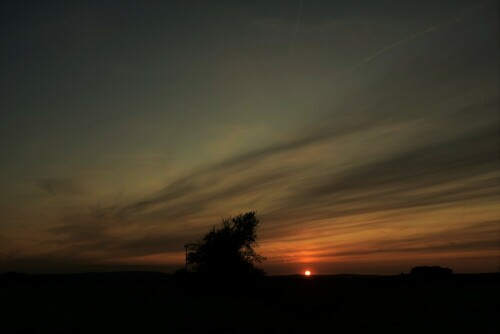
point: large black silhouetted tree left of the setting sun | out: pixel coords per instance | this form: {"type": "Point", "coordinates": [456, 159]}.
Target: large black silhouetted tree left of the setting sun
{"type": "Point", "coordinates": [228, 251]}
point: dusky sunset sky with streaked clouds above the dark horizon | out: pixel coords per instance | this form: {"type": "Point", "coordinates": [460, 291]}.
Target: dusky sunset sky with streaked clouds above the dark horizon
{"type": "Point", "coordinates": [365, 134]}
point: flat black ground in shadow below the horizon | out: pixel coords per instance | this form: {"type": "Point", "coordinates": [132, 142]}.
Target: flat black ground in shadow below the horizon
{"type": "Point", "coordinates": [158, 303]}
